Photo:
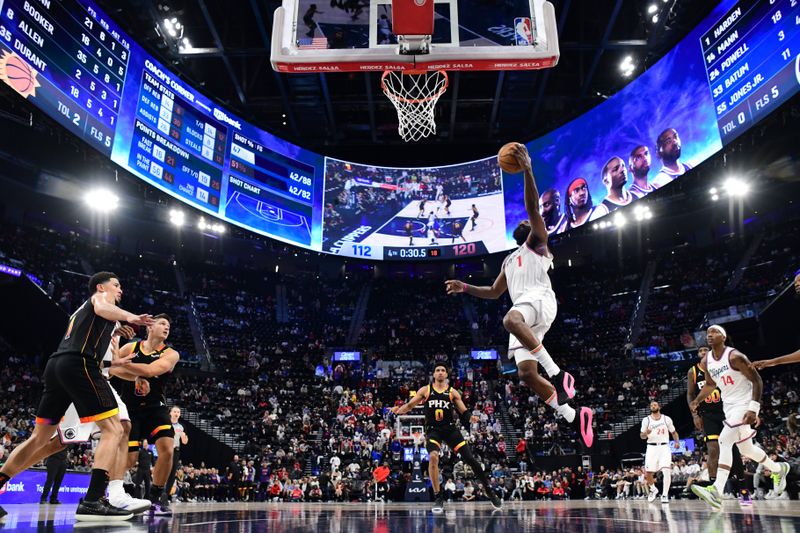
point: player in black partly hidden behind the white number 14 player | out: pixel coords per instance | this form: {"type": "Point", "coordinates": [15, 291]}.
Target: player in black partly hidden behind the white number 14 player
{"type": "Point", "coordinates": [710, 418]}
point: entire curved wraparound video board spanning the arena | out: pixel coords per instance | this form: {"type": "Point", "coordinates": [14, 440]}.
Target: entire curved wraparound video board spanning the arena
{"type": "Point", "coordinates": [72, 61]}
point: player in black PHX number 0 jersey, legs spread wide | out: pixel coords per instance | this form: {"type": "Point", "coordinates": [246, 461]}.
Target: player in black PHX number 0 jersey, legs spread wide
{"type": "Point", "coordinates": [440, 398]}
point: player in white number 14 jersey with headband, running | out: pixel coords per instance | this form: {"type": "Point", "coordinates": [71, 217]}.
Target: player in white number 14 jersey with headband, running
{"type": "Point", "coordinates": [741, 387]}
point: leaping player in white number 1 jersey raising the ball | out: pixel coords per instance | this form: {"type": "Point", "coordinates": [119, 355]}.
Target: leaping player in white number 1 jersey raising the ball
{"type": "Point", "coordinates": [525, 275]}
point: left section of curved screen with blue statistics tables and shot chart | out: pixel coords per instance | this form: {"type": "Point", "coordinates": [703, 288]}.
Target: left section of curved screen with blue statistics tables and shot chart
{"type": "Point", "coordinates": [72, 61]}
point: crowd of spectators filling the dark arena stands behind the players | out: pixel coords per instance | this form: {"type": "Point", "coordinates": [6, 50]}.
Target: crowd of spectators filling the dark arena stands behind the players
{"type": "Point", "coordinates": [314, 429]}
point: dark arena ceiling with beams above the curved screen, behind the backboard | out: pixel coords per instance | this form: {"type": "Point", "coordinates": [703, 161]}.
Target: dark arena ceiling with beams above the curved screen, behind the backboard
{"type": "Point", "coordinates": [341, 114]}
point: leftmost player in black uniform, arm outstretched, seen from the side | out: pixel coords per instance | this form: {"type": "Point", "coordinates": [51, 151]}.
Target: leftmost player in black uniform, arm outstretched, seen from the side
{"type": "Point", "coordinates": [73, 375]}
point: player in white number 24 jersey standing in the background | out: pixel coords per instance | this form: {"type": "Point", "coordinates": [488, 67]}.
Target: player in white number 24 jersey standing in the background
{"type": "Point", "coordinates": [656, 430]}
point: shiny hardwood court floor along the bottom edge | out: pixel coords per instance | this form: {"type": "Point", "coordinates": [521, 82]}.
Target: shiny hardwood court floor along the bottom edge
{"type": "Point", "coordinates": [570, 516]}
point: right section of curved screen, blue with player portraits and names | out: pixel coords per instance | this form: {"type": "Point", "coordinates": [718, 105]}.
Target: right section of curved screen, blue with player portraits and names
{"type": "Point", "coordinates": [733, 69]}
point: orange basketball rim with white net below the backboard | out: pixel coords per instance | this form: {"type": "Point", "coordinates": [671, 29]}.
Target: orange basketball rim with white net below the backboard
{"type": "Point", "coordinates": [414, 94]}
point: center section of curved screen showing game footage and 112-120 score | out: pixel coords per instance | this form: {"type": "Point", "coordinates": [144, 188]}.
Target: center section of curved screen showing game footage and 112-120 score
{"type": "Point", "coordinates": [413, 213]}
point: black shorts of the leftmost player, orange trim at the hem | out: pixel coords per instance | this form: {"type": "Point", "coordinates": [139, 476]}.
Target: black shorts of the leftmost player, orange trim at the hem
{"type": "Point", "coordinates": [73, 379]}
